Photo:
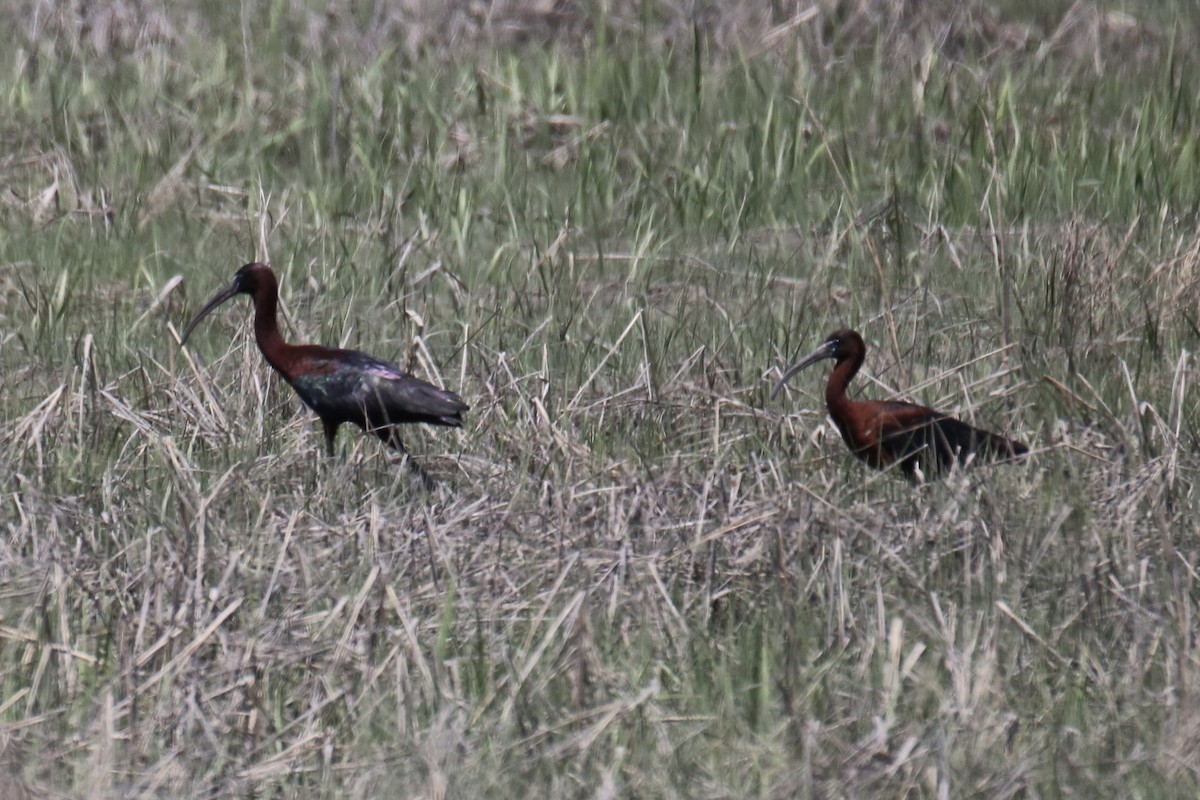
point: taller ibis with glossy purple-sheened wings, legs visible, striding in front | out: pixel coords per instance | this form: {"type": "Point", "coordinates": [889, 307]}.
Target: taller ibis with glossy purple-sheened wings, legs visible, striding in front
{"type": "Point", "coordinates": [339, 386]}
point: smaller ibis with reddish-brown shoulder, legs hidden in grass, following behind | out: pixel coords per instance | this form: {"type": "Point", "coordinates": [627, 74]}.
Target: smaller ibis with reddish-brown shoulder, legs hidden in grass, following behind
{"type": "Point", "coordinates": [926, 443]}
